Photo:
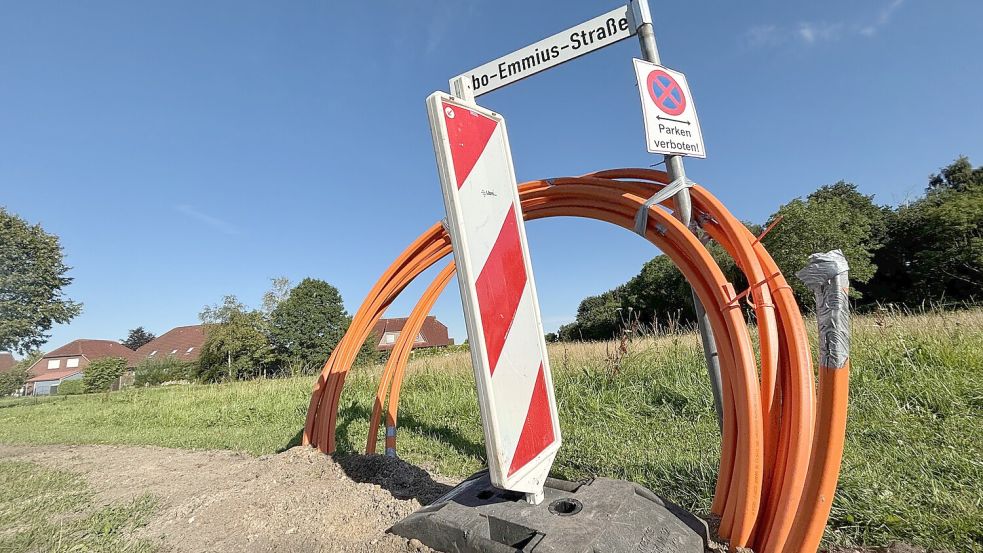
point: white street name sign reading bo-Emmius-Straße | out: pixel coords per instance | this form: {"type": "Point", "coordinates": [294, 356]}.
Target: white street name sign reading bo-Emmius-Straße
{"type": "Point", "coordinates": [603, 30]}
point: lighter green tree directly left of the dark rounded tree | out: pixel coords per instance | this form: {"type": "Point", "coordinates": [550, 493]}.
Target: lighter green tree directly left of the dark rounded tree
{"type": "Point", "coordinates": [237, 344]}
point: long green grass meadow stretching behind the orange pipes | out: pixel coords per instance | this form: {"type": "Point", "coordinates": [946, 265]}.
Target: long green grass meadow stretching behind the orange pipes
{"type": "Point", "coordinates": [912, 470]}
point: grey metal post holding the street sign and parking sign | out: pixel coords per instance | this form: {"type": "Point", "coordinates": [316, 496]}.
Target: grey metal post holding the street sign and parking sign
{"type": "Point", "coordinates": [682, 204]}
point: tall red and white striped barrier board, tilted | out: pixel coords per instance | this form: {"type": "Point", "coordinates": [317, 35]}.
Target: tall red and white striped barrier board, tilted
{"type": "Point", "coordinates": [505, 329]}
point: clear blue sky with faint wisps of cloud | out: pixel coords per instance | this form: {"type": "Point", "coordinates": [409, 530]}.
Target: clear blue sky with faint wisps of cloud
{"type": "Point", "coordinates": [187, 150]}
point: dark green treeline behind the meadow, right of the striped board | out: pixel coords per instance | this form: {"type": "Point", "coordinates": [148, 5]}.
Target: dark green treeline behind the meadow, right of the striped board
{"type": "Point", "coordinates": [929, 250]}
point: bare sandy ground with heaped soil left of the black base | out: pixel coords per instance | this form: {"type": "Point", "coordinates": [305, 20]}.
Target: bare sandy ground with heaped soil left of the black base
{"type": "Point", "coordinates": [219, 501]}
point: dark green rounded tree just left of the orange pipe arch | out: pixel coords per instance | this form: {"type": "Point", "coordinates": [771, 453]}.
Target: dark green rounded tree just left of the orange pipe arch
{"type": "Point", "coordinates": [306, 326]}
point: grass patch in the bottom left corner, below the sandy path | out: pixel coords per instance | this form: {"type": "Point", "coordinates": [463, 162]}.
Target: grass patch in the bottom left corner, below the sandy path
{"type": "Point", "coordinates": [47, 510]}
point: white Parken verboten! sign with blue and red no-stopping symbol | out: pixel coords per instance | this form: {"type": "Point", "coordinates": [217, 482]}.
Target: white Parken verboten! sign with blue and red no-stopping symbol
{"type": "Point", "coordinates": [671, 125]}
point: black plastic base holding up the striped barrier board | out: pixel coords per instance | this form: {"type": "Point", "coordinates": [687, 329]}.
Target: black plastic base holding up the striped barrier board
{"type": "Point", "coordinates": [596, 516]}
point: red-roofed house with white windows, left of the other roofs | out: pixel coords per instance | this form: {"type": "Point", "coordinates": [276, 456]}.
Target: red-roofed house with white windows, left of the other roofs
{"type": "Point", "coordinates": [69, 361]}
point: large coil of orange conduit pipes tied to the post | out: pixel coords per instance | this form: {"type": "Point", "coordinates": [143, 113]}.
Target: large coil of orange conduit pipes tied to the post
{"type": "Point", "coordinates": [768, 422]}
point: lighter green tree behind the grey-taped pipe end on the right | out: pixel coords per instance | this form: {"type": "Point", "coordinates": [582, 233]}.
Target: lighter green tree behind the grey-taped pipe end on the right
{"type": "Point", "coordinates": [834, 217]}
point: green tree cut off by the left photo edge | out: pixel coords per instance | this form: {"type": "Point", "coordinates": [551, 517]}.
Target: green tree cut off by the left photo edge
{"type": "Point", "coordinates": [32, 276]}
